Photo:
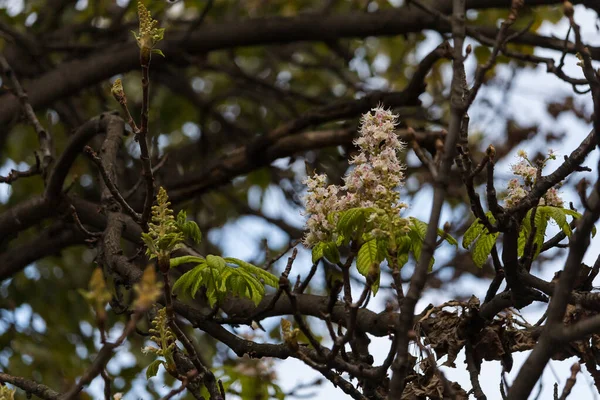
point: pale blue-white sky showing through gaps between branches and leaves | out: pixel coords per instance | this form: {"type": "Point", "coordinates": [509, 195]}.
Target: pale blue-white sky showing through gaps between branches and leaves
{"type": "Point", "coordinates": [528, 101]}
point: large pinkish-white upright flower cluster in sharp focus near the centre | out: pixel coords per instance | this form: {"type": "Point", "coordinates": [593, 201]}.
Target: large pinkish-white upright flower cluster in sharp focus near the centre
{"type": "Point", "coordinates": [371, 182]}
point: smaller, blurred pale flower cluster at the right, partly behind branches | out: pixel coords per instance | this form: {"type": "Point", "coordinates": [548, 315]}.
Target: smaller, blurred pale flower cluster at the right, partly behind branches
{"type": "Point", "coordinates": [528, 173]}
